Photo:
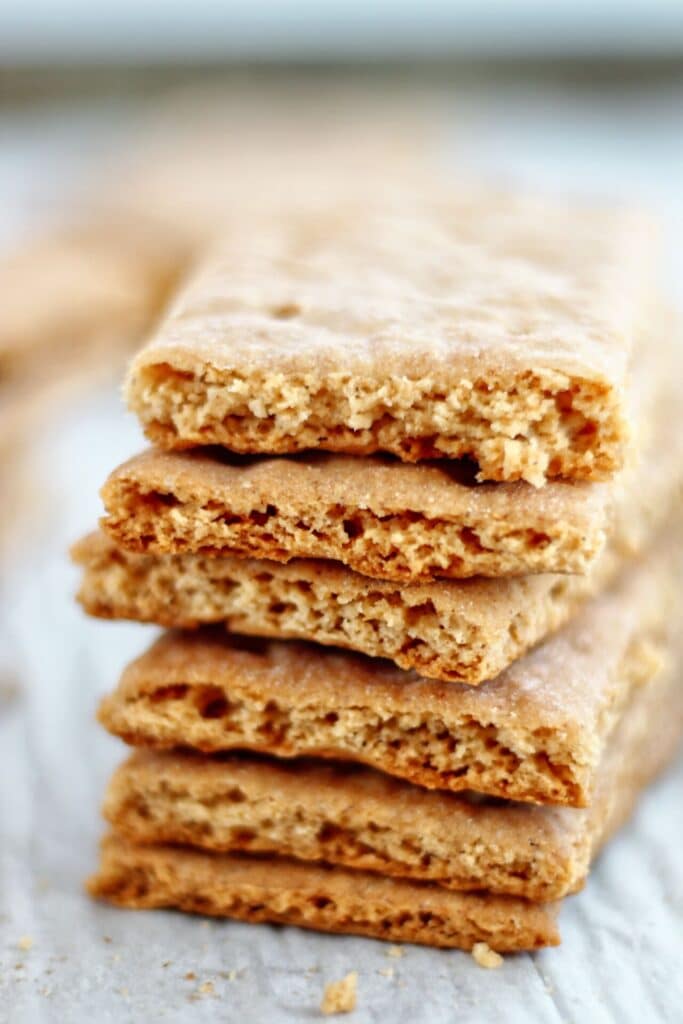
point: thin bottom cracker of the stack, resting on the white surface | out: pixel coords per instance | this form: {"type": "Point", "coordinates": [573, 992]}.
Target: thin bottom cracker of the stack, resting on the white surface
{"type": "Point", "coordinates": [270, 889]}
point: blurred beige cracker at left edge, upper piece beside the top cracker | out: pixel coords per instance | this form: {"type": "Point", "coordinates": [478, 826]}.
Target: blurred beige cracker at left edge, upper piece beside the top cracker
{"type": "Point", "coordinates": [81, 288]}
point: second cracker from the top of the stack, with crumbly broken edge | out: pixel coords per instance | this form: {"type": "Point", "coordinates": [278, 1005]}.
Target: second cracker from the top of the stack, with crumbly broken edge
{"type": "Point", "coordinates": [385, 520]}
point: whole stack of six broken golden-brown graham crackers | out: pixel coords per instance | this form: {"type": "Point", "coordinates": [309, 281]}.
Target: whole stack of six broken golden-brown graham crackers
{"type": "Point", "coordinates": [412, 520]}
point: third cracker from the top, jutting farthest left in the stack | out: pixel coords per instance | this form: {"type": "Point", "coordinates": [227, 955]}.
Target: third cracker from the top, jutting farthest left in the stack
{"type": "Point", "coordinates": [456, 631]}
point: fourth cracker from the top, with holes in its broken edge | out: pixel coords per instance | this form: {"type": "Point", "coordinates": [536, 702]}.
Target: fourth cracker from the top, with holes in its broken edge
{"type": "Point", "coordinates": [536, 734]}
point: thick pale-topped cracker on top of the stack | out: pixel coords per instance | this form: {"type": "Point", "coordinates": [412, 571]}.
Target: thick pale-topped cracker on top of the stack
{"type": "Point", "coordinates": [496, 327]}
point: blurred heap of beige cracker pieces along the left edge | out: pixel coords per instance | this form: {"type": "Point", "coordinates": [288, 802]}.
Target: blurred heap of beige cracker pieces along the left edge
{"type": "Point", "coordinates": [75, 303]}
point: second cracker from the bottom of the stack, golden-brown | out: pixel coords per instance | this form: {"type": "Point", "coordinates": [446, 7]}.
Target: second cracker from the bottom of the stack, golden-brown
{"type": "Point", "coordinates": [366, 821]}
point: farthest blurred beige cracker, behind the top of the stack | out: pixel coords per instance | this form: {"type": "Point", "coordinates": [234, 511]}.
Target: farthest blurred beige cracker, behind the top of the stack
{"type": "Point", "coordinates": [206, 158]}
